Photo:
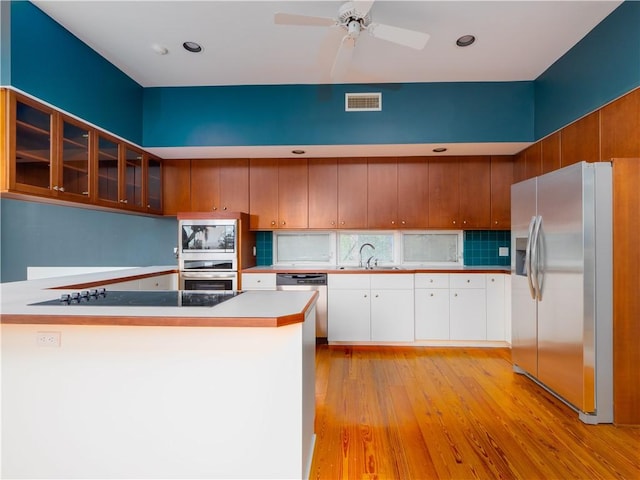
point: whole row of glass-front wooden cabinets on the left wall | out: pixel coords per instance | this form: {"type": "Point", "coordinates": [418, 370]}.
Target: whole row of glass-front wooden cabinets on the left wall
{"type": "Point", "coordinates": [51, 154]}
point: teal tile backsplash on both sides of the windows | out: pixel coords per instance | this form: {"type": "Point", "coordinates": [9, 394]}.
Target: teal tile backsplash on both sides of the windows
{"type": "Point", "coordinates": [480, 247]}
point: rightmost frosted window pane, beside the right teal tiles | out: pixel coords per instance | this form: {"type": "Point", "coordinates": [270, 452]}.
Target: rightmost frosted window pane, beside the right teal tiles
{"type": "Point", "coordinates": [423, 248]}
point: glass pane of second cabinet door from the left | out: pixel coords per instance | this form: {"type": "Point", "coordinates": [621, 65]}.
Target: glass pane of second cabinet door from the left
{"type": "Point", "coordinates": [74, 160]}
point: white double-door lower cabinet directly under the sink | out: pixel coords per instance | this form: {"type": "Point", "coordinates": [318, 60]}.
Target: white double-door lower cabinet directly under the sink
{"type": "Point", "coordinates": [371, 307]}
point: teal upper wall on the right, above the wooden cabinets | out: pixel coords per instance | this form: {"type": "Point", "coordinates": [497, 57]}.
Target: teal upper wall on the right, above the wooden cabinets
{"type": "Point", "coordinates": [603, 66]}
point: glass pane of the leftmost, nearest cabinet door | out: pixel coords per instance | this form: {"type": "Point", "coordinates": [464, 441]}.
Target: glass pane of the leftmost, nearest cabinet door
{"type": "Point", "coordinates": [33, 146]}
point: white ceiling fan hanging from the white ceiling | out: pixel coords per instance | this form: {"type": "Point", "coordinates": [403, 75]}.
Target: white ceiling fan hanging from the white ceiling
{"type": "Point", "coordinates": [354, 17]}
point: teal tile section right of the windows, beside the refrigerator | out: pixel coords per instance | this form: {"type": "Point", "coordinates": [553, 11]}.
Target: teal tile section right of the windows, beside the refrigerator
{"type": "Point", "coordinates": [480, 247]}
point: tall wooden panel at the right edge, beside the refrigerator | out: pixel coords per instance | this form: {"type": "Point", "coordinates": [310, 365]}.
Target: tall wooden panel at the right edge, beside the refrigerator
{"type": "Point", "coordinates": [626, 289]}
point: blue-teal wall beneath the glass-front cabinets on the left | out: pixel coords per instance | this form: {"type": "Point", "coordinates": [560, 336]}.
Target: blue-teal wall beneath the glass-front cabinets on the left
{"type": "Point", "coordinates": [43, 235]}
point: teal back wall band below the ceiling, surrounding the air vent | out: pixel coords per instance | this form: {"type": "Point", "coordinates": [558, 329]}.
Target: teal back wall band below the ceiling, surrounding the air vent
{"type": "Point", "coordinates": [314, 114]}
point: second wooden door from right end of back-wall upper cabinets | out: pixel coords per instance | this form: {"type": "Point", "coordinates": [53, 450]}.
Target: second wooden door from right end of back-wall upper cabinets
{"type": "Point", "coordinates": [475, 192]}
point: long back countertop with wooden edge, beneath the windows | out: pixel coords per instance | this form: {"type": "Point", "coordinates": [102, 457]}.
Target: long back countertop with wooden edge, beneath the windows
{"type": "Point", "coordinates": [382, 269]}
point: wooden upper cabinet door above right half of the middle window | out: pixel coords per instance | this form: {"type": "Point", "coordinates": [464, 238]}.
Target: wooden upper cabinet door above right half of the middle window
{"type": "Point", "coordinates": [382, 188]}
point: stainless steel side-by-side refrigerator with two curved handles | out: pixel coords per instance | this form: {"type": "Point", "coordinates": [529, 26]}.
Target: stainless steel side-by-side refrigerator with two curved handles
{"type": "Point", "coordinates": [561, 273]}
